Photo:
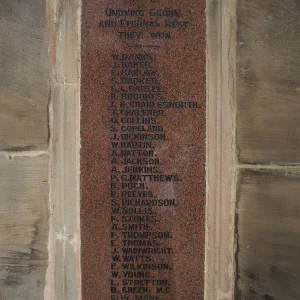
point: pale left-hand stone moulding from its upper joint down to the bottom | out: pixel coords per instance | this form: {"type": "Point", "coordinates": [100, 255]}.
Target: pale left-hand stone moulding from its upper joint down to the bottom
{"type": "Point", "coordinates": [65, 193]}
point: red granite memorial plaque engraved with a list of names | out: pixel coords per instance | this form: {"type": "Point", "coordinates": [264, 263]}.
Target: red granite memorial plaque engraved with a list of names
{"type": "Point", "coordinates": [143, 149]}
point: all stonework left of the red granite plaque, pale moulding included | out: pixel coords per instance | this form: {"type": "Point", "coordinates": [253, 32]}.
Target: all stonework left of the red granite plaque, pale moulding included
{"type": "Point", "coordinates": [39, 146]}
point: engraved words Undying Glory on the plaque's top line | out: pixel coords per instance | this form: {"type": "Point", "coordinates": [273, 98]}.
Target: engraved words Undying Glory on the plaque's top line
{"type": "Point", "coordinates": [160, 13]}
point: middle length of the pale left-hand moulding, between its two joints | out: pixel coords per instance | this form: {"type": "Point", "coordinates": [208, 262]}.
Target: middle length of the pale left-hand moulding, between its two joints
{"type": "Point", "coordinates": [66, 158]}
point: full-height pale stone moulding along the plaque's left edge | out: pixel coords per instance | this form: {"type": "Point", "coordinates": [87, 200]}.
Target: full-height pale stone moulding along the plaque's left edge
{"type": "Point", "coordinates": [64, 274]}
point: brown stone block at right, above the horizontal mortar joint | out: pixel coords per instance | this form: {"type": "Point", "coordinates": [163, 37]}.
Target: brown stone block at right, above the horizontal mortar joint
{"type": "Point", "coordinates": [268, 81]}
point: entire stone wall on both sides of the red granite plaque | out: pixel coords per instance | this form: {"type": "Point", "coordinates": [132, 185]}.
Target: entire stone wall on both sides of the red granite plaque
{"type": "Point", "coordinates": [253, 174]}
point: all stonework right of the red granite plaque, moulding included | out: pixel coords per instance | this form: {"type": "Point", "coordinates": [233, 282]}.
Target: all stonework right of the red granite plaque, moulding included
{"type": "Point", "coordinates": [252, 229]}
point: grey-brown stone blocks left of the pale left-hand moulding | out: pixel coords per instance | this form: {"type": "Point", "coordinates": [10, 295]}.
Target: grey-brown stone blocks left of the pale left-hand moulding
{"type": "Point", "coordinates": [24, 145]}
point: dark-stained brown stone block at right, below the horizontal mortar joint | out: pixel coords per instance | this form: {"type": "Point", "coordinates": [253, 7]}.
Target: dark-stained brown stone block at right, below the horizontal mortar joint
{"type": "Point", "coordinates": [268, 235]}
